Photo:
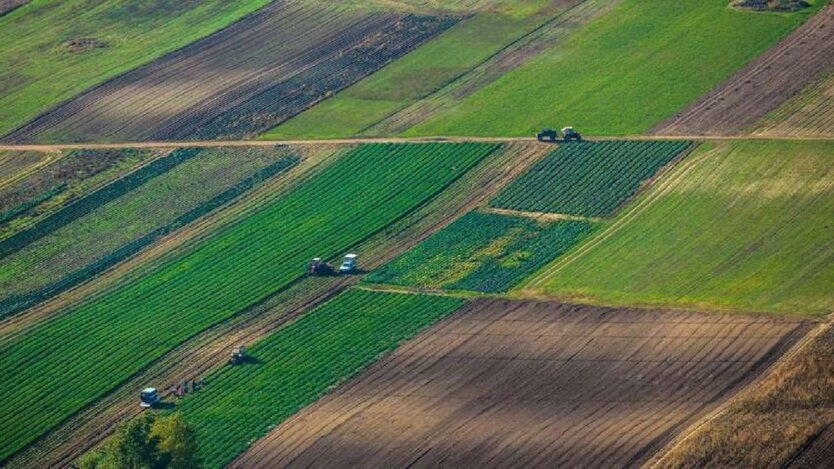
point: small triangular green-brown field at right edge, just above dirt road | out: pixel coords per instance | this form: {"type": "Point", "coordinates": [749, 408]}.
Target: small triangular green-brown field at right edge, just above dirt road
{"type": "Point", "coordinates": [809, 114]}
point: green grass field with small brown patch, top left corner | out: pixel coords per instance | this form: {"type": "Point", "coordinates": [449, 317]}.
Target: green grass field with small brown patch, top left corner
{"type": "Point", "coordinates": [37, 71]}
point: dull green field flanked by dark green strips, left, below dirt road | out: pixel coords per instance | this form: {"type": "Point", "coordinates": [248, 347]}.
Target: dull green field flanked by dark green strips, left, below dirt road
{"type": "Point", "coordinates": [186, 185]}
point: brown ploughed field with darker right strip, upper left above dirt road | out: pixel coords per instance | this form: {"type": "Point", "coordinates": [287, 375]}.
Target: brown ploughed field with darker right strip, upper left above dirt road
{"type": "Point", "coordinates": [242, 80]}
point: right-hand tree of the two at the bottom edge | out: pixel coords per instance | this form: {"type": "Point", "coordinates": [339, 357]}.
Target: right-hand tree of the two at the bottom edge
{"type": "Point", "coordinates": [177, 442]}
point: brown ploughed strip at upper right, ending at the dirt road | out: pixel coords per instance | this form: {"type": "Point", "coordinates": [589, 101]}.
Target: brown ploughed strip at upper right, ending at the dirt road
{"type": "Point", "coordinates": [777, 75]}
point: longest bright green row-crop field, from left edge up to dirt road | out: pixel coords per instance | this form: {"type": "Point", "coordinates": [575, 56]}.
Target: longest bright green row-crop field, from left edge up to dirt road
{"type": "Point", "coordinates": [58, 367]}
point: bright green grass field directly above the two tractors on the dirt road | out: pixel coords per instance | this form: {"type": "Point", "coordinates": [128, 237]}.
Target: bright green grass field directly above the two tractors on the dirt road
{"type": "Point", "coordinates": [622, 73]}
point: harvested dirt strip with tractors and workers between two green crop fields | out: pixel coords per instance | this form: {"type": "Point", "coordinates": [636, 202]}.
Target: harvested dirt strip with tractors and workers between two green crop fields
{"type": "Point", "coordinates": [210, 348]}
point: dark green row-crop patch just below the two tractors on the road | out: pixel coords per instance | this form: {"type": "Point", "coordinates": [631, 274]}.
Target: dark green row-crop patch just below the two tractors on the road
{"type": "Point", "coordinates": [591, 179]}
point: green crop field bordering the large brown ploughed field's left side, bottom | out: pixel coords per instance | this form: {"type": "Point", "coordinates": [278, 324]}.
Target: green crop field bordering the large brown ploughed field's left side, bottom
{"type": "Point", "coordinates": [299, 363]}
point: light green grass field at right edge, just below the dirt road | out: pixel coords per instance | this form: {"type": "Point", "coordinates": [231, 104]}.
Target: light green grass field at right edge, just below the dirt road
{"type": "Point", "coordinates": [746, 226]}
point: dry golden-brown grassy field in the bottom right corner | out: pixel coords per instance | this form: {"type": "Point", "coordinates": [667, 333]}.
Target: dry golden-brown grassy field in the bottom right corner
{"type": "Point", "coordinates": [786, 419]}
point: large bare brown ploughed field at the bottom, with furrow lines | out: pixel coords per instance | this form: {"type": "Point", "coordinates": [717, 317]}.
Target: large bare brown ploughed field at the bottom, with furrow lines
{"type": "Point", "coordinates": [504, 383]}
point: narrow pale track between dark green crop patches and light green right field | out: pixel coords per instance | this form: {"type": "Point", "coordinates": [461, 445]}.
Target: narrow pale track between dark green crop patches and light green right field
{"type": "Point", "coordinates": [652, 193]}
